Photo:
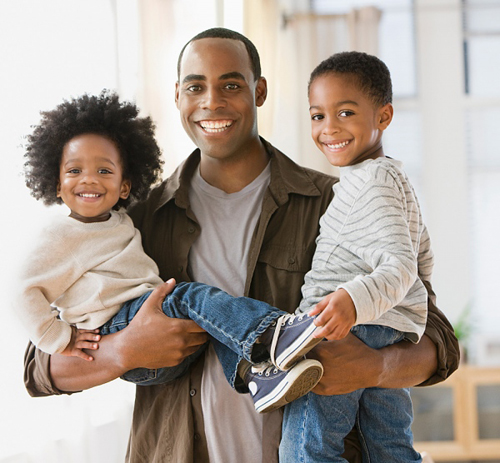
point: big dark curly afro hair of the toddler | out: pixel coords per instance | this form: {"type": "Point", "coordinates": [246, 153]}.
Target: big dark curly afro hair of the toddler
{"type": "Point", "coordinates": [102, 115]}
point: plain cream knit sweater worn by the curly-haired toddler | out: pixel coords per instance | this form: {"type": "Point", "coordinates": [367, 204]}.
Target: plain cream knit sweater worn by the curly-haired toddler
{"type": "Point", "coordinates": [81, 274]}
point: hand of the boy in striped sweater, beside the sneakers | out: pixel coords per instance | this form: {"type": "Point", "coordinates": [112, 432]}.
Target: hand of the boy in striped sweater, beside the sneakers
{"type": "Point", "coordinates": [337, 315]}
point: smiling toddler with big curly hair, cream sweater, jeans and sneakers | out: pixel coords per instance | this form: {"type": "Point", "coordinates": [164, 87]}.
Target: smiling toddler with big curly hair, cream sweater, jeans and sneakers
{"type": "Point", "coordinates": [89, 270]}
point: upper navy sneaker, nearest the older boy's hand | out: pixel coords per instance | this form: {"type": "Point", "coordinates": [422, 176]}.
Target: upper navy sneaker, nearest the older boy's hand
{"type": "Point", "coordinates": [292, 339]}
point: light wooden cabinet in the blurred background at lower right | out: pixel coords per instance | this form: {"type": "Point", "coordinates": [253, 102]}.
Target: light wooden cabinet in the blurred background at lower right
{"type": "Point", "coordinates": [459, 419]}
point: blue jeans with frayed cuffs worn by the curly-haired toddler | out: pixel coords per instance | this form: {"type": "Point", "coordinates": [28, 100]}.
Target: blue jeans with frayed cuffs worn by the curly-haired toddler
{"type": "Point", "coordinates": [235, 324]}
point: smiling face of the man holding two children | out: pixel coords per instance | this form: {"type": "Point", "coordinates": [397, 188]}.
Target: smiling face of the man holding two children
{"type": "Point", "coordinates": [217, 97]}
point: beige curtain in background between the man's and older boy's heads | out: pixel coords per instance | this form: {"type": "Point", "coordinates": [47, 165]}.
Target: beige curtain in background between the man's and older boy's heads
{"type": "Point", "coordinates": [291, 45]}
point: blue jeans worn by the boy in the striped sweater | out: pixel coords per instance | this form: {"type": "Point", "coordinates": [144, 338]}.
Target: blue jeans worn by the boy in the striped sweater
{"type": "Point", "coordinates": [314, 426]}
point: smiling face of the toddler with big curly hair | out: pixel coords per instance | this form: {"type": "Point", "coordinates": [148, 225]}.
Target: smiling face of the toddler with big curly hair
{"type": "Point", "coordinates": [91, 177]}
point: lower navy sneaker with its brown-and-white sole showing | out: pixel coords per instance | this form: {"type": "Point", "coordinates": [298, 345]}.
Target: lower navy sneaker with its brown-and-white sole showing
{"type": "Point", "coordinates": [271, 388]}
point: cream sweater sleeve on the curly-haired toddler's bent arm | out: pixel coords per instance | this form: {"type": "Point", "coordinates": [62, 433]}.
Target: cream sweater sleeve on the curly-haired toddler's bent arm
{"type": "Point", "coordinates": [48, 273]}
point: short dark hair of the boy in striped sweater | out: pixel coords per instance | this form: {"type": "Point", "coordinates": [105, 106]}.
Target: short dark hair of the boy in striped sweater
{"type": "Point", "coordinates": [371, 73]}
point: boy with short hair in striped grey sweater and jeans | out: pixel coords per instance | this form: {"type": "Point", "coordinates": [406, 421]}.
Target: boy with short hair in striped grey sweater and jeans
{"type": "Point", "coordinates": [372, 250]}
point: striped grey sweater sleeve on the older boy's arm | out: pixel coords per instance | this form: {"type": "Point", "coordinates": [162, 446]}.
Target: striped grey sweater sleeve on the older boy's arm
{"type": "Point", "coordinates": [377, 229]}
